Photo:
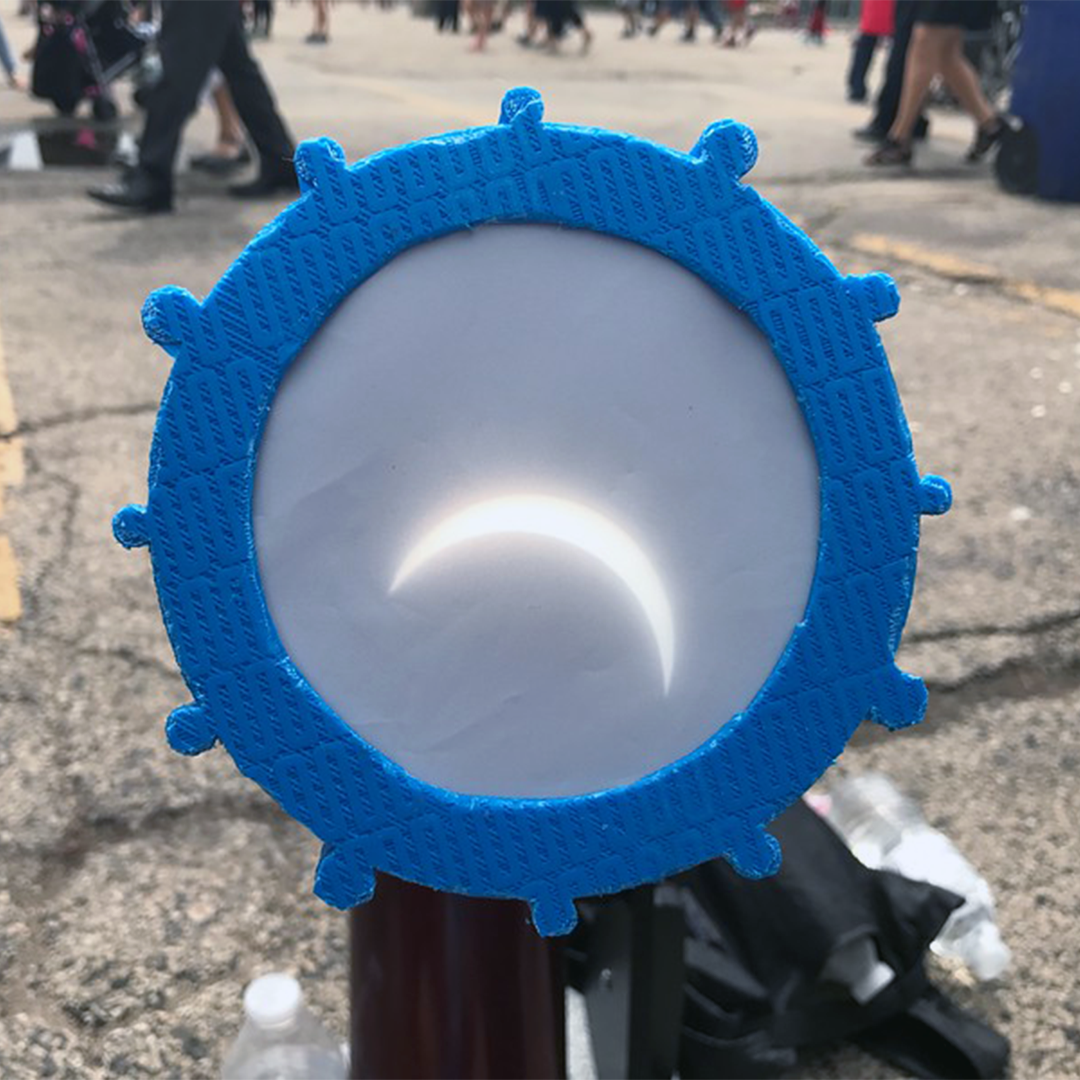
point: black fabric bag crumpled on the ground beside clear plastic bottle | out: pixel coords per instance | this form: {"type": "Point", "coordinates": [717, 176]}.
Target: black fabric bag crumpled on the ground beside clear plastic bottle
{"type": "Point", "coordinates": [762, 956]}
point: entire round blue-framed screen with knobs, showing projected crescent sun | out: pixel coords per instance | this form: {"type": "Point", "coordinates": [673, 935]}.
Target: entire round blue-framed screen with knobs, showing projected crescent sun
{"type": "Point", "coordinates": [532, 512]}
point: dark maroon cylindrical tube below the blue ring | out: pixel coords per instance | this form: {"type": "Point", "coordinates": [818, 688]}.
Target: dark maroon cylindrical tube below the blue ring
{"type": "Point", "coordinates": [449, 988]}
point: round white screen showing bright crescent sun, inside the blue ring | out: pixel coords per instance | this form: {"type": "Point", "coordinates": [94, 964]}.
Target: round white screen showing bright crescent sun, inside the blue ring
{"type": "Point", "coordinates": [536, 511]}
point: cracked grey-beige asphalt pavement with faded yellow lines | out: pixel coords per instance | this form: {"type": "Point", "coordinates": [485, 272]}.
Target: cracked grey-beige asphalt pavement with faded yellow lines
{"type": "Point", "coordinates": [140, 890]}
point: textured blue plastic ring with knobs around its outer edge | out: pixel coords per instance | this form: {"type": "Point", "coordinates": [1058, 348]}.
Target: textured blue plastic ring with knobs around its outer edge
{"type": "Point", "coordinates": [229, 356]}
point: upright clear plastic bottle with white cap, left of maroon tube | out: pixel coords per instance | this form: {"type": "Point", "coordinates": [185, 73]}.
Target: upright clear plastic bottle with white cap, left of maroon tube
{"type": "Point", "coordinates": [280, 1038]}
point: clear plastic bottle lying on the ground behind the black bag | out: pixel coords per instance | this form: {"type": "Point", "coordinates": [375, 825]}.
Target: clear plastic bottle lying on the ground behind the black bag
{"type": "Point", "coordinates": [886, 831]}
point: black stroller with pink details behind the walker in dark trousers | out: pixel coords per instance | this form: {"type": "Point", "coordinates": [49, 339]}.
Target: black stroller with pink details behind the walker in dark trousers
{"type": "Point", "coordinates": [84, 47]}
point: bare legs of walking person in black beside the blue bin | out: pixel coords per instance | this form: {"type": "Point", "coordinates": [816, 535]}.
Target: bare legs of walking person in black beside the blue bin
{"type": "Point", "coordinates": [937, 49]}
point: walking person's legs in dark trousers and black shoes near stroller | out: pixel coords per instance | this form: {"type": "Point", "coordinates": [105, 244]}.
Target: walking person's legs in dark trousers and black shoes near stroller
{"type": "Point", "coordinates": [196, 37]}
